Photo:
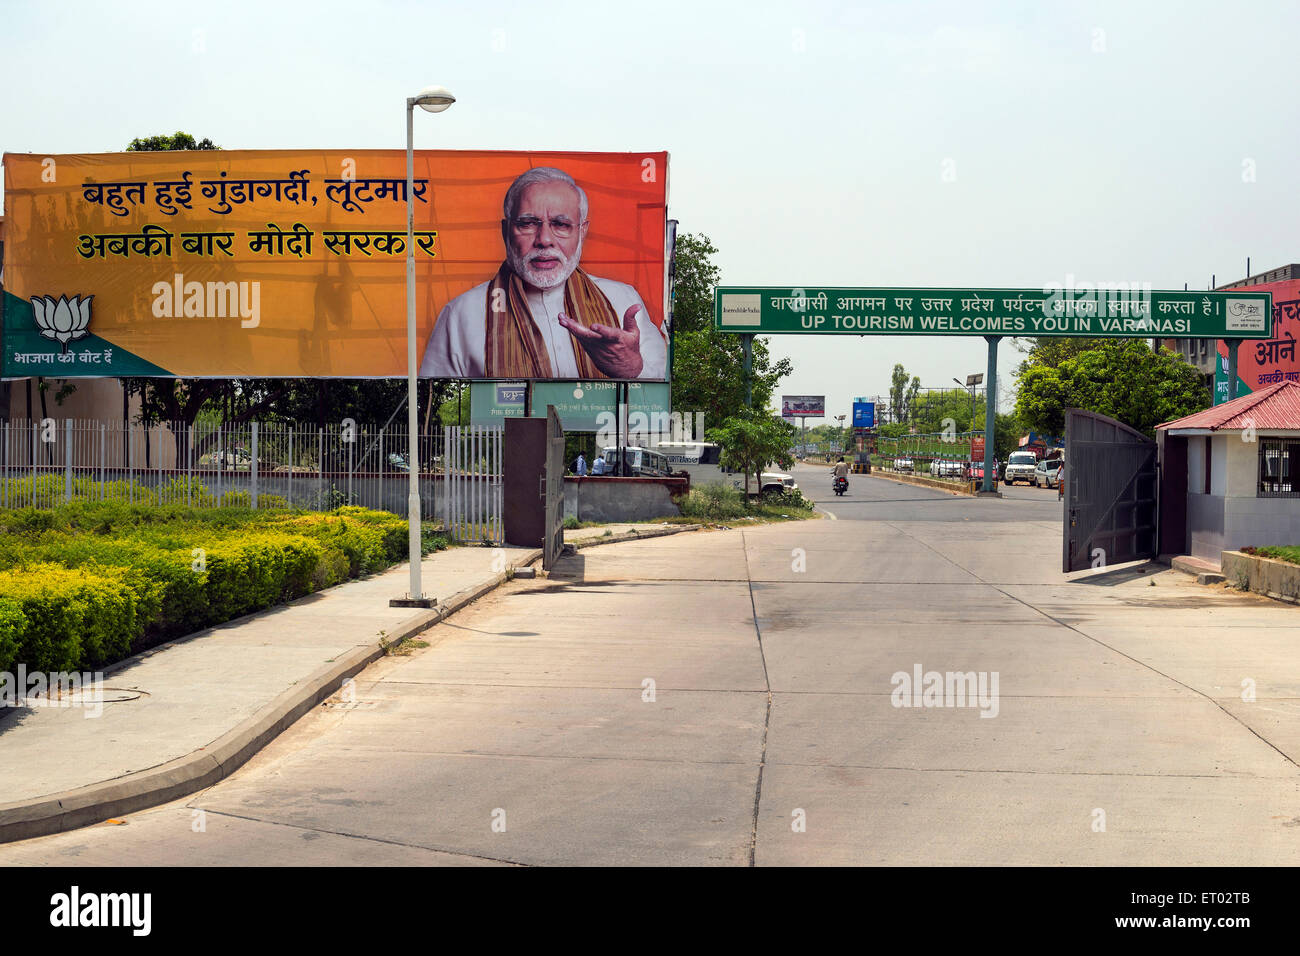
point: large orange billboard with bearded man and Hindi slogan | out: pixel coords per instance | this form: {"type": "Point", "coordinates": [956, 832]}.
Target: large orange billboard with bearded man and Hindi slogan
{"type": "Point", "coordinates": [293, 263]}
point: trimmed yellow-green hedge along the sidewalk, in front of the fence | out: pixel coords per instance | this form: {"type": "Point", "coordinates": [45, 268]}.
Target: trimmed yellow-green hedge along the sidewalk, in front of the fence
{"type": "Point", "coordinates": [90, 583]}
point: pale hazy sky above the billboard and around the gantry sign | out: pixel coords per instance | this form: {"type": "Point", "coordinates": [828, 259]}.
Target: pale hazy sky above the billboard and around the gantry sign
{"type": "Point", "coordinates": [951, 145]}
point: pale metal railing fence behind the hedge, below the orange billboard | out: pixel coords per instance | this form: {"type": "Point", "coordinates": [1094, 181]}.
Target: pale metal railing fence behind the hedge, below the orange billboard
{"type": "Point", "coordinates": [257, 465]}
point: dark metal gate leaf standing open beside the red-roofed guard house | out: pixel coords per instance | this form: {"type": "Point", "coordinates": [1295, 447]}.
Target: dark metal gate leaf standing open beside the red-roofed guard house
{"type": "Point", "coordinates": [1110, 492]}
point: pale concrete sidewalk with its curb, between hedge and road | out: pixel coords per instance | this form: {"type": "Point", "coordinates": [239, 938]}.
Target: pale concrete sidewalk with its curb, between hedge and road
{"type": "Point", "coordinates": [181, 716]}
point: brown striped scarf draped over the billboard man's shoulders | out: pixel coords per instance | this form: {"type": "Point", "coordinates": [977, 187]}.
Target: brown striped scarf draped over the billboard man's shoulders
{"type": "Point", "coordinates": [514, 344]}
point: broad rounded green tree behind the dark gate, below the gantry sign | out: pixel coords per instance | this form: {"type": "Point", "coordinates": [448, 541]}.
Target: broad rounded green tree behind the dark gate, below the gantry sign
{"type": "Point", "coordinates": [1123, 379]}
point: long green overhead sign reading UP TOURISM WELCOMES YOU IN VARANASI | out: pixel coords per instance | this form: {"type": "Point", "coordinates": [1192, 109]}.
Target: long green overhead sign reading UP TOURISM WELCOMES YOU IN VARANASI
{"type": "Point", "coordinates": [1067, 312]}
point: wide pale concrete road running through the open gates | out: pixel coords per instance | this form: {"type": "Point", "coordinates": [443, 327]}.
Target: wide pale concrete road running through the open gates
{"type": "Point", "coordinates": [736, 698]}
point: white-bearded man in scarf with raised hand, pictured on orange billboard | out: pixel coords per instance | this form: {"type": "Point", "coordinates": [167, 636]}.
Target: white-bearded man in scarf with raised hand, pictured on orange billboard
{"type": "Point", "coordinates": [541, 317]}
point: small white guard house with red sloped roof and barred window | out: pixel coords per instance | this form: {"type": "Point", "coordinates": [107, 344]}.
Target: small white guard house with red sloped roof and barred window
{"type": "Point", "coordinates": [1230, 475]}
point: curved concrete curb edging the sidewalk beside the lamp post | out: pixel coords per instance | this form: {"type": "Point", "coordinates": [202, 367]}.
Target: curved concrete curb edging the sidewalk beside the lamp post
{"type": "Point", "coordinates": [206, 767]}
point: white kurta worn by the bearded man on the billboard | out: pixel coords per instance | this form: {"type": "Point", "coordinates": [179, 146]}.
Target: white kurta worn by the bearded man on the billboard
{"type": "Point", "coordinates": [457, 347]}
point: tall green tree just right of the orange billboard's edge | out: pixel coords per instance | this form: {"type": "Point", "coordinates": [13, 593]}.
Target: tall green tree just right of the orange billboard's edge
{"type": "Point", "coordinates": [708, 365]}
